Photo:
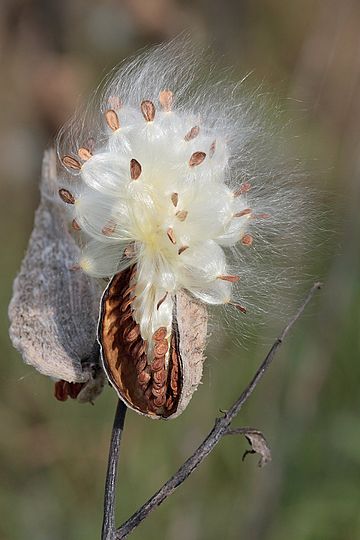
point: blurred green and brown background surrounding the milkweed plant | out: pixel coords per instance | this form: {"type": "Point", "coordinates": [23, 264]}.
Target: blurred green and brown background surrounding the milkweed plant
{"type": "Point", "coordinates": [53, 455]}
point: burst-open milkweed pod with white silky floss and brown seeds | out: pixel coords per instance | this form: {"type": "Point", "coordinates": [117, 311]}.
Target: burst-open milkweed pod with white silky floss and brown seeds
{"type": "Point", "coordinates": [167, 181]}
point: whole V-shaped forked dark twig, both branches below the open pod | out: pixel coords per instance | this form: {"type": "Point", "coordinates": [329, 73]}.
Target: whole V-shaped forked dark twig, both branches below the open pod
{"type": "Point", "coordinates": [220, 429]}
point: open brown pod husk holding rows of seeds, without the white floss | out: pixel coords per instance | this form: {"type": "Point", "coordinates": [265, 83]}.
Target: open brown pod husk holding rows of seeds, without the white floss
{"type": "Point", "coordinates": [158, 379]}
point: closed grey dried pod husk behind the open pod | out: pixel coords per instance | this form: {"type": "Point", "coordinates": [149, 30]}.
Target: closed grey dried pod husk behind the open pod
{"type": "Point", "coordinates": [54, 309]}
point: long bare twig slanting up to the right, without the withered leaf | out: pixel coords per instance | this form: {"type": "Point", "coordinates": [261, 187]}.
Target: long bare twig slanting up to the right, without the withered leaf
{"type": "Point", "coordinates": [219, 430]}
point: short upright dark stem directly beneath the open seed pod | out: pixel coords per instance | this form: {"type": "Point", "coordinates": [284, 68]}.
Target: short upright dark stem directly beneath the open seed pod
{"type": "Point", "coordinates": [108, 527]}
